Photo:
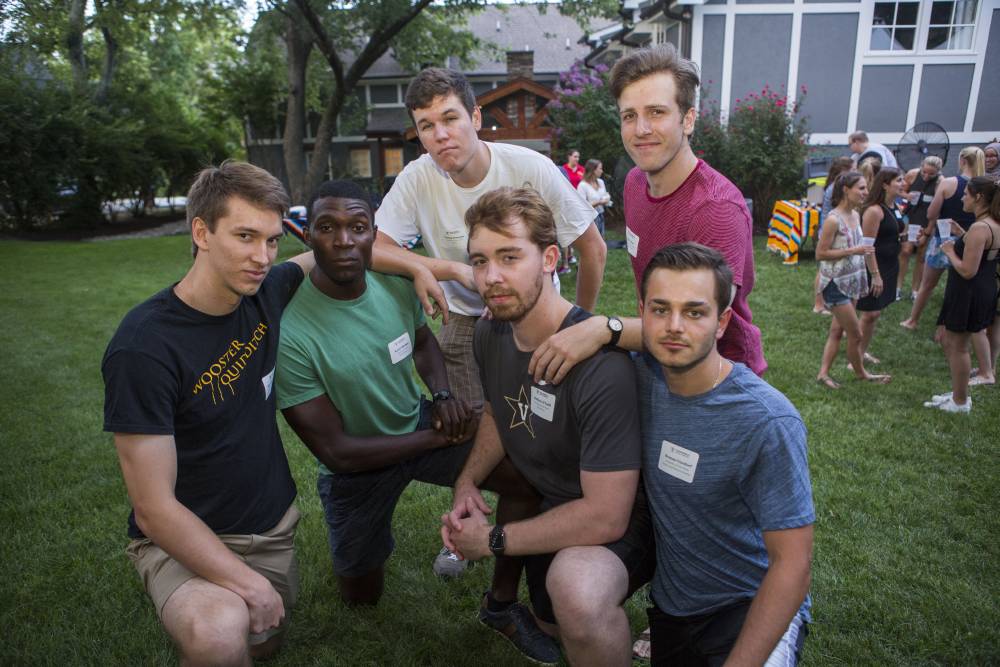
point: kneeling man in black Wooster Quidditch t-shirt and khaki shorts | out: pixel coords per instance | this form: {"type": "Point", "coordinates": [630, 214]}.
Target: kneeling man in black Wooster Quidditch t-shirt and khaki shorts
{"type": "Point", "coordinates": [188, 395]}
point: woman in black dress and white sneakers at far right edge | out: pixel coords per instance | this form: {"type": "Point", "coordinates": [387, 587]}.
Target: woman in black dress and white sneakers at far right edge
{"type": "Point", "coordinates": [970, 296]}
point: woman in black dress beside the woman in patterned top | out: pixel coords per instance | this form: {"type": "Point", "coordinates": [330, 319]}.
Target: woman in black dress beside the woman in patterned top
{"type": "Point", "coordinates": [883, 222]}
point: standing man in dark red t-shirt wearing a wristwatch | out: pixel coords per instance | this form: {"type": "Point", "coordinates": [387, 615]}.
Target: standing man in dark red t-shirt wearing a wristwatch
{"type": "Point", "coordinates": [670, 197]}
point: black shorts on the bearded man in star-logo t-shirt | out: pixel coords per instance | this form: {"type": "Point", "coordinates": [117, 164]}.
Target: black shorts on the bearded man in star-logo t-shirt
{"type": "Point", "coordinates": [636, 550]}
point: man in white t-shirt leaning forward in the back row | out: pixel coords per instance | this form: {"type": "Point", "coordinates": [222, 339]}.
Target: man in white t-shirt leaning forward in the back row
{"type": "Point", "coordinates": [429, 199]}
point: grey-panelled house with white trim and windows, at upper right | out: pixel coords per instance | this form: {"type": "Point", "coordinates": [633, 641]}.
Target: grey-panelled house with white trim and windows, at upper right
{"type": "Point", "coordinates": [877, 66]}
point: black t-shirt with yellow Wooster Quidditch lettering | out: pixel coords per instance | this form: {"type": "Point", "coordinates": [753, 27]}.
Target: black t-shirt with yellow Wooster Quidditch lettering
{"type": "Point", "coordinates": [208, 381]}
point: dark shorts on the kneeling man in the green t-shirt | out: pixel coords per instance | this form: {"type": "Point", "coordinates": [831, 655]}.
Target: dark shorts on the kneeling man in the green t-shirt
{"type": "Point", "coordinates": [359, 506]}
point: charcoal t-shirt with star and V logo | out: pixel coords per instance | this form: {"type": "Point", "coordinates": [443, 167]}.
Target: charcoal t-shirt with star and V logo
{"type": "Point", "coordinates": [551, 432]}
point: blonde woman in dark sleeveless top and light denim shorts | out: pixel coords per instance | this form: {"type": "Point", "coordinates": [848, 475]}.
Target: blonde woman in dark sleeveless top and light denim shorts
{"type": "Point", "coordinates": [946, 204]}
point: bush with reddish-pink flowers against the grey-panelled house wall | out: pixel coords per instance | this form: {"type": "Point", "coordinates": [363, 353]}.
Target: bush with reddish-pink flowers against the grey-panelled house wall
{"type": "Point", "coordinates": [761, 147]}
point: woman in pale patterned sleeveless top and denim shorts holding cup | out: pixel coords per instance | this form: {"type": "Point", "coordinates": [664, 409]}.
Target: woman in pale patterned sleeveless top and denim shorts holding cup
{"type": "Point", "coordinates": [843, 278]}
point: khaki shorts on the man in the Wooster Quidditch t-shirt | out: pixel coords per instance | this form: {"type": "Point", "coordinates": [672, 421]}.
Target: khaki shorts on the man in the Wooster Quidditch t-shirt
{"type": "Point", "coordinates": [271, 554]}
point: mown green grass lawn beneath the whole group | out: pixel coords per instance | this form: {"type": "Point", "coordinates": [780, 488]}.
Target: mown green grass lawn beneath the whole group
{"type": "Point", "coordinates": [907, 543]}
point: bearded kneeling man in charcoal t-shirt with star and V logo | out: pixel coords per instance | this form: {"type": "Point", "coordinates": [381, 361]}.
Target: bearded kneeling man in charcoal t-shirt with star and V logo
{"type": "Point", "coordinates": [577, 443]}
